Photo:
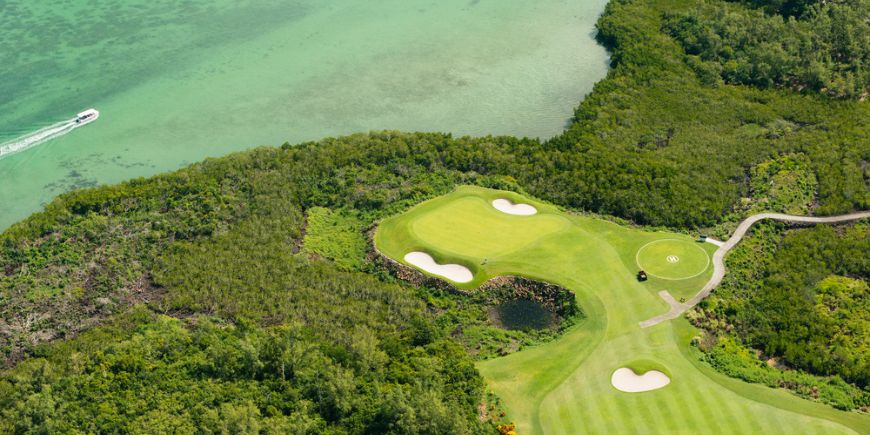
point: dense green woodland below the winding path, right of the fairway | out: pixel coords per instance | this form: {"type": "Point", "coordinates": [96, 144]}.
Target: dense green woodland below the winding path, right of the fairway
{"type": "Point", "coordinates": [795, 299]}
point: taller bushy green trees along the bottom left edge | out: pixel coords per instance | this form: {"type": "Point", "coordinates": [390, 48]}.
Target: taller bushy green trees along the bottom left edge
{"type": "Point", "coordinates": [164, 375]}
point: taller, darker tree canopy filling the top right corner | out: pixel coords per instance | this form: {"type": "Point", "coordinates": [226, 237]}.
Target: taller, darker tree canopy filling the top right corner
{"type": "Point", "coordinates": [818, 46]}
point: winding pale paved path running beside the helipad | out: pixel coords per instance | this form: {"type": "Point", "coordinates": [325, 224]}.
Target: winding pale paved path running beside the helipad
{"type": "Point", "coordinates": [678, 309]}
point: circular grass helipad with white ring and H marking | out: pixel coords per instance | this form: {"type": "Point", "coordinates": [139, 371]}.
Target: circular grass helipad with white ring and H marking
{"type": "Point", "coordinates": [672, 259]}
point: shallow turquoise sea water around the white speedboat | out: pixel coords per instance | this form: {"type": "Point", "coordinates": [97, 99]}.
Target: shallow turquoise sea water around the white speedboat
{"type": "Point", "coordinates": [178, 81]}
